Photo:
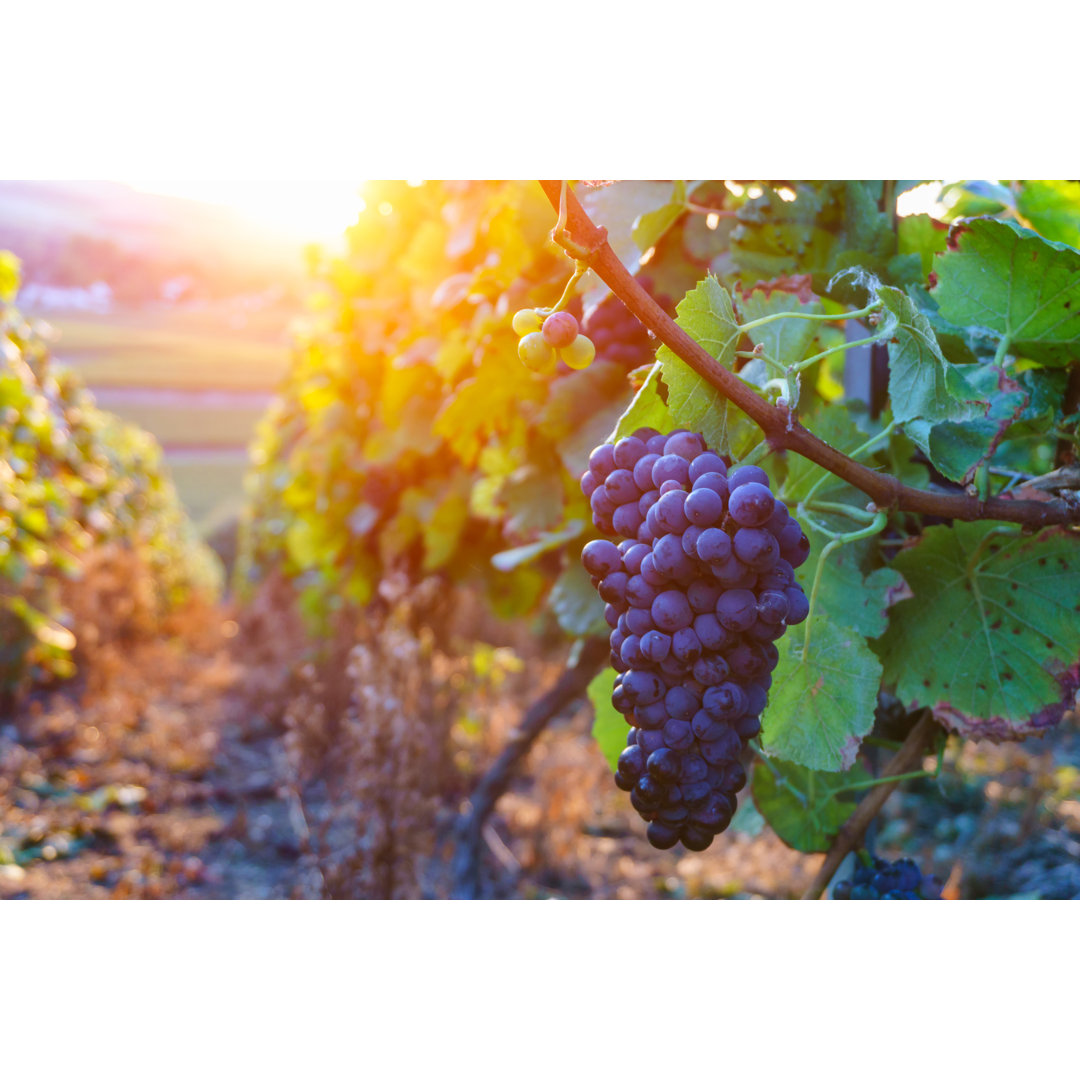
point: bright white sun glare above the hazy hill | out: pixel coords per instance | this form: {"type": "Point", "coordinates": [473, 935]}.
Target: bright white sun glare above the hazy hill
{"type": "Point", "coordinates": [308, 211]}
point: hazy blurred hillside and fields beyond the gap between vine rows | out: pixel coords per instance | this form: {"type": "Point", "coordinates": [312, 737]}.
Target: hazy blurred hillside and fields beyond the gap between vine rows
{"type": "Point", "coordinates": [175, 312]}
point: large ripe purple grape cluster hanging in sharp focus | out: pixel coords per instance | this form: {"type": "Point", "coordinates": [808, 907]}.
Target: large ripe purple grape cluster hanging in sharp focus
{"type": "Point", "coordinates": [697, 592]}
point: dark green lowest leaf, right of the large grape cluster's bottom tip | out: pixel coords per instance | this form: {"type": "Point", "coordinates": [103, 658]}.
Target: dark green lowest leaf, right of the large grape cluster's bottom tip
{"type": "Point", "coordinates": [804, 807]}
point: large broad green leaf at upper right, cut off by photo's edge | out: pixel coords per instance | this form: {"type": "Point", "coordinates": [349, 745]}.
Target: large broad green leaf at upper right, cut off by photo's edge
{"type": "Point", "coordinates": [1008, 279]}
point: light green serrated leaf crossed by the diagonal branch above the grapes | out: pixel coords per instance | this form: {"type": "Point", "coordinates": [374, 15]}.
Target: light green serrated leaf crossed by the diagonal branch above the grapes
{"type": "Point", "coordinates": [707, 315]}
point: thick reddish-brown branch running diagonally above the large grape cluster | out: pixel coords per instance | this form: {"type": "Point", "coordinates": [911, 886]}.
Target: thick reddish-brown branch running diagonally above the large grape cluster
{"type": "Point", "coordinates": [782, 431]}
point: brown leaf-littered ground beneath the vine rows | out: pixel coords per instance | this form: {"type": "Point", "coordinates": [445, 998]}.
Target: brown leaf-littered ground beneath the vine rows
{"type": "Point", "coordinates": [156, 776]}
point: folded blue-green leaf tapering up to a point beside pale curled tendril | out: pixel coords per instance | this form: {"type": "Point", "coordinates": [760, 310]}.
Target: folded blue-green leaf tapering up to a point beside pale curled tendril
{"type": "Point", "coordinates": [922, 383]}
